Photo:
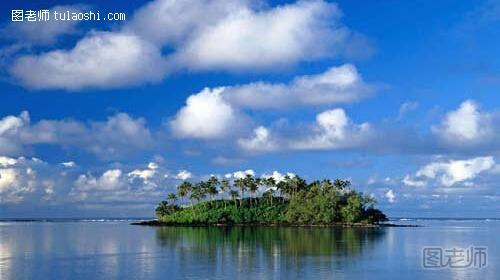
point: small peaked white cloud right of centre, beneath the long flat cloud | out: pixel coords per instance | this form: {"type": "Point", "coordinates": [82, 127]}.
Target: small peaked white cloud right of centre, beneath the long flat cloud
{"type": "Point", "coordinates": [333, 130]}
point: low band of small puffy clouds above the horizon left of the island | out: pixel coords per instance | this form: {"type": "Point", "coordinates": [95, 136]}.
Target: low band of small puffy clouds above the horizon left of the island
{"type": "Point", "coordinates": [36, 183]}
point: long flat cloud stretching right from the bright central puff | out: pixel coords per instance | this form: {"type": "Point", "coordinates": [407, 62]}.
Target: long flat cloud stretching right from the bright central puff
{"type": "Point", "coordinates": [341, 84]}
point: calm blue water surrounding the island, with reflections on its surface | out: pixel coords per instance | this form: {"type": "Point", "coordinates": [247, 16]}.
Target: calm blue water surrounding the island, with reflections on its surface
{"type": "Point", "coordinates": [117, 250]}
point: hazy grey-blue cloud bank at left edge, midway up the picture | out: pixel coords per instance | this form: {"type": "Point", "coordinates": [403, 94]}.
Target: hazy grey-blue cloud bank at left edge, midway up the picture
{"type": "Point", "coordinates": [114, 138]}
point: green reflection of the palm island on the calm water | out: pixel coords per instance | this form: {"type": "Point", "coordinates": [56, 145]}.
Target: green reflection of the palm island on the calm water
{"type": "Point", "coordinates": [268, 248]}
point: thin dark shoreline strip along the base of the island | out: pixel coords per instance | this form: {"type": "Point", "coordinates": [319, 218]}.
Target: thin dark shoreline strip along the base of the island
{"type": "Point", "coordinates": [156, 223]}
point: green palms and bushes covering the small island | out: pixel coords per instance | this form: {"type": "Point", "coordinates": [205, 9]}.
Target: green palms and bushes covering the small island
{"type": "Point", "coordinates": [291, 201]}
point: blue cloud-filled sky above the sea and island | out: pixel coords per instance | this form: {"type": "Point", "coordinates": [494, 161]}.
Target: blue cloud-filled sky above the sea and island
{"type": "Point", "coordinates": [104, 118]}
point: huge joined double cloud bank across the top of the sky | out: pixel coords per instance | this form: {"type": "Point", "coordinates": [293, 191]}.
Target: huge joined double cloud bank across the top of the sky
{"type": "Point", "coordinates": [200, 35]}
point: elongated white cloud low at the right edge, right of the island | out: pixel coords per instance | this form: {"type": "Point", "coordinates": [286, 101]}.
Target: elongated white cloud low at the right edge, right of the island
{"type": "Point", "coordinates": [450, 173]}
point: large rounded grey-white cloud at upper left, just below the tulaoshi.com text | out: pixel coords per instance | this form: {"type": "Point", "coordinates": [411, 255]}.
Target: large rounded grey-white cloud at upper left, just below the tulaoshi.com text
{"type": "Point", "coordinates": [99, 60]}
